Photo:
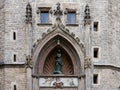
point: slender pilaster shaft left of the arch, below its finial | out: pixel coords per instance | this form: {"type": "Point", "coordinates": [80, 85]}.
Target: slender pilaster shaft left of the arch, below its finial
{"type": "Point", "coordinates": [29, 56]}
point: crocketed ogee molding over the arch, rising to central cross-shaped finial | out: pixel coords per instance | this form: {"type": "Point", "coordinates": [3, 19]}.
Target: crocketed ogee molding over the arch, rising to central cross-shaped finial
{"type": "Point", "coordinates": [58, 28]}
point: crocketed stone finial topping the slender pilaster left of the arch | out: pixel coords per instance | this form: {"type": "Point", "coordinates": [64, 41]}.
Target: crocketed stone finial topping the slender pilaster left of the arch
{"type": "Point", "coordinates": [28, 14]}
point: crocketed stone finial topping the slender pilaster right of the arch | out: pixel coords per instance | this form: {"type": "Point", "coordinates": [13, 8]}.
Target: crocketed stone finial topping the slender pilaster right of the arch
{"type": "Point", "coordinates": [87, 18]}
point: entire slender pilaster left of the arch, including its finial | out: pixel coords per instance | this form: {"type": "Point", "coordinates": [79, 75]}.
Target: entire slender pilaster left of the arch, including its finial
{"type": "Point", "coordinates": [29, 46]}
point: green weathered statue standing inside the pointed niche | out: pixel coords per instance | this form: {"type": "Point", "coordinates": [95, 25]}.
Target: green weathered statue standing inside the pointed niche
{"type": "Point", "coordinates": [58, 63]}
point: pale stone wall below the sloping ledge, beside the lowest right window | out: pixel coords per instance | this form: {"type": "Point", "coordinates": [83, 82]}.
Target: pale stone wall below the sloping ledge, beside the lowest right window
{"type": "Point", "coordinates": [108, 79]}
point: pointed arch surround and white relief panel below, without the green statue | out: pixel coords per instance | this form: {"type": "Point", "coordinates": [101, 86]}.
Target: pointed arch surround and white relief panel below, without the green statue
{"type": "Point", "coordinates": [44, 63]}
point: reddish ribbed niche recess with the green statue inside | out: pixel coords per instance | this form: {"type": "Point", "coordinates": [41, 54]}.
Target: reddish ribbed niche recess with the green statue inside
{"type": "Point", "coordinates": [58, 62]}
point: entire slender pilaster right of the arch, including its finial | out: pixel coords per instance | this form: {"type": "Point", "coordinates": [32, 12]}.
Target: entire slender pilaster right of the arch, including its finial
{"type": "Point", "coordinates": [87, 40]}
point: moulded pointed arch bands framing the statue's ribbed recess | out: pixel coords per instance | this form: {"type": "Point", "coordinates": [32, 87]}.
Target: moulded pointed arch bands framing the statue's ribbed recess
{"type": "Point", "coordinates": [48, 43]}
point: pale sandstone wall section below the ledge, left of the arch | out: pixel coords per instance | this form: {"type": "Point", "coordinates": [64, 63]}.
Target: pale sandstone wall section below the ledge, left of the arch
{"type": "Point", "coordinates": [15, 76]}
